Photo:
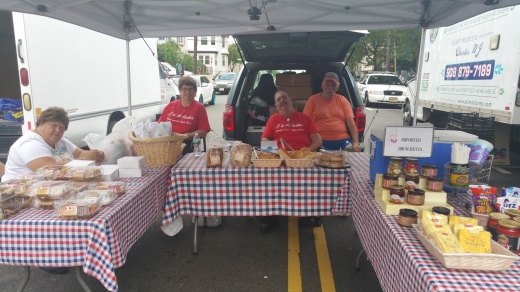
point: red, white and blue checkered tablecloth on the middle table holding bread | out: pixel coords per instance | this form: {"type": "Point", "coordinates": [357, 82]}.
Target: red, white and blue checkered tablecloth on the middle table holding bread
{"type": "Point", "coordinates": [249, 191]}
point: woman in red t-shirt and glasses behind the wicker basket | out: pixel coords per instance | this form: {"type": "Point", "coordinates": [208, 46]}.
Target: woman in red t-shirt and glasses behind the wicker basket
{"type": "Point", "coordinates": [187, 115]}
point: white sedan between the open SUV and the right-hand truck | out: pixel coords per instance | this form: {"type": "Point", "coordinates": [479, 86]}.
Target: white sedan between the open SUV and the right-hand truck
{"type": "Point", "coordinates": [384, 88]}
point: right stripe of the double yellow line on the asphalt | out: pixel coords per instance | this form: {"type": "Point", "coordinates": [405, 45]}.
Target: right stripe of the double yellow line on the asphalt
{"type": "Point", "coordinates": [322, 253]}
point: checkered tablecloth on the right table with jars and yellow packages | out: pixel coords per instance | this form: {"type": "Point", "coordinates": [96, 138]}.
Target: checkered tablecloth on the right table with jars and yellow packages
{"type": "Point", "coordinates": [401, 261]}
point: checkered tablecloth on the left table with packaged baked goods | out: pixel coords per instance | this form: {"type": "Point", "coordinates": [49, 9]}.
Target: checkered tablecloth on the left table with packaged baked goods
{"type": "Point", "coordinates": [35, 238]}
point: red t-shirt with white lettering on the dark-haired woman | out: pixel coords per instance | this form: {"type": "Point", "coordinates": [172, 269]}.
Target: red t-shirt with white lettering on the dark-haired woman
{"type": "Point", "coordinates": [185, 119]}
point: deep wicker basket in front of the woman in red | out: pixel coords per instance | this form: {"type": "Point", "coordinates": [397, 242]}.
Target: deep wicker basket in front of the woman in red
{"type": "Point", "coordinates": [162, 151]}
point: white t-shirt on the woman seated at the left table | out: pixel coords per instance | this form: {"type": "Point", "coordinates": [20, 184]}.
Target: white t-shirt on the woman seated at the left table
{"type": "Point", "coordinates": [31, 146]}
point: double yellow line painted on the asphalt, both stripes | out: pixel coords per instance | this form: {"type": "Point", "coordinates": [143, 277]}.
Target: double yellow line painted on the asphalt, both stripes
{"type": "Point", "coordinates": [293, 263]}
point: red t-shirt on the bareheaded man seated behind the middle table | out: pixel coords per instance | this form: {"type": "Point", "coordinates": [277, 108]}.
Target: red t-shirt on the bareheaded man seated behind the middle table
{"type": "Point", "coordinates": [295, 130]}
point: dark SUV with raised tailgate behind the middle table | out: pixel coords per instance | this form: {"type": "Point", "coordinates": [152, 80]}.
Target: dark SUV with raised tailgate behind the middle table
{"type": "Point", "coordinates": [314, 53]}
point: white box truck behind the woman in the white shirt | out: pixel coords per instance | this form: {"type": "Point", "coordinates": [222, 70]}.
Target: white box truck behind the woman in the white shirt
{"type": "Point", "coordinates": [46, 62]}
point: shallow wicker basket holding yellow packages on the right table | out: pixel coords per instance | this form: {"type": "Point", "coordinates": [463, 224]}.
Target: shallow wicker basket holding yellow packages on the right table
{"type": "Point", "coordinates": [498, 260]}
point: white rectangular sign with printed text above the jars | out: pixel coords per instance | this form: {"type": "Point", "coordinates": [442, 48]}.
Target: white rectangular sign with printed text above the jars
{"type": "Point", "coordinates": [408, 141]}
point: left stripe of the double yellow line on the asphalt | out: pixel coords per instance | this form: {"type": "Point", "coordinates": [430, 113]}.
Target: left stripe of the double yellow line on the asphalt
{"type": "Point", "coordinates": [294, 282]}
